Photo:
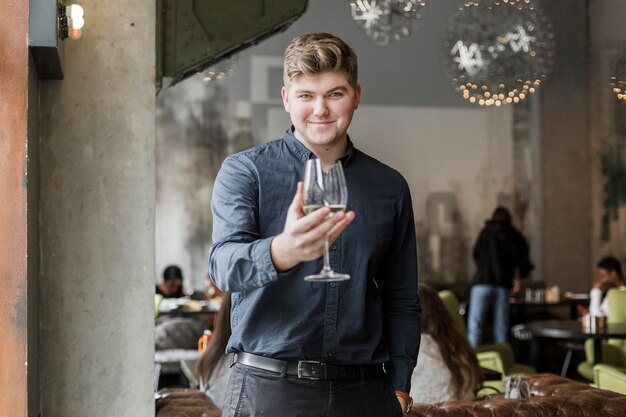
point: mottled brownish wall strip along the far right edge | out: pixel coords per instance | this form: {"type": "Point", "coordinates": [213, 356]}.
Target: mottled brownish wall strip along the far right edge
{"type": "Point", "coordinates": [607, 34]}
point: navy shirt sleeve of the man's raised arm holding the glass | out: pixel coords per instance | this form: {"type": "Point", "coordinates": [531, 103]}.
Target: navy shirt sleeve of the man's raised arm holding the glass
{"type": "Point", "coordinates": [239, 259]}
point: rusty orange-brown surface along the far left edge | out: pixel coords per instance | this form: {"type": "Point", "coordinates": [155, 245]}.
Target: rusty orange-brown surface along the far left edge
{"type": "Point", "coordinates": [13, 139]}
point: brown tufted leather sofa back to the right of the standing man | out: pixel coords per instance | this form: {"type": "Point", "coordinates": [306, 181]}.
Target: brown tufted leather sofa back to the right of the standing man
{"type": "Point", "coordinates": [551, 395]}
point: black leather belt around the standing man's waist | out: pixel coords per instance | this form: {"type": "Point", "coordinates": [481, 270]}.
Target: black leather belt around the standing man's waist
{"type": "Point", "coordinates": [311, 369]}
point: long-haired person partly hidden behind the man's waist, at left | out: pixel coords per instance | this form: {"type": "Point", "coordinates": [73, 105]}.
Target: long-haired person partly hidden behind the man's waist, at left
{"type": "Point", "coordinates": [214, 365]}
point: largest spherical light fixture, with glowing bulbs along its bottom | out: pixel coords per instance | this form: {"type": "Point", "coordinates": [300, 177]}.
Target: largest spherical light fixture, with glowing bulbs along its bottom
{"type": "Point", "coordinates": [498, 51]}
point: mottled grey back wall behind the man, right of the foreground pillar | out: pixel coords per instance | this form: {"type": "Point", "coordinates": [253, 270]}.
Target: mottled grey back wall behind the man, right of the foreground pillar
{"type": "Point", "coordinates": [461, 159]}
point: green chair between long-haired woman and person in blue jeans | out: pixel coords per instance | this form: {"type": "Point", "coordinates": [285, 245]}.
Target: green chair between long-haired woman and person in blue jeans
{"type": "Point", "coordinates": [498, 357]}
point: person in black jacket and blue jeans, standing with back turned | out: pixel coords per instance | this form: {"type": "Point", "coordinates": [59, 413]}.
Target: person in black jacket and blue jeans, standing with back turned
{"type": "Point", "coordinates": [501, 254]}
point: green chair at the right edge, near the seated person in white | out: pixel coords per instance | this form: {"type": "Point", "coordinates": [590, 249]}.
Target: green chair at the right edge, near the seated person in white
{"type": "Point", "coordinates": [613, 350]}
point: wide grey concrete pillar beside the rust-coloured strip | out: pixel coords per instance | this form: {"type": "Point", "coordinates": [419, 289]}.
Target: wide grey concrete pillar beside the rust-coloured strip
{"type": "Point", "coordinates": [97, 218]}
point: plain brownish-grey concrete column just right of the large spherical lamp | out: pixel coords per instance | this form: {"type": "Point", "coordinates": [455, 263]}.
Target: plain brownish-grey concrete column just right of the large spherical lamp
{"type": "Point", "coordinates": [565, 152]}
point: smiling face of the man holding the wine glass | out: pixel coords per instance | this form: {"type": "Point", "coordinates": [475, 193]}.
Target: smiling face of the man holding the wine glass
{"type": "Point", "coordinates": [321, 108]}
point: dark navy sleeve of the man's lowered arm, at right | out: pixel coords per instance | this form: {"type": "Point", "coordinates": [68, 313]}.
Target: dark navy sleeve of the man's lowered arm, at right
{"type": "Point", "coordinates": [400, 303]}
